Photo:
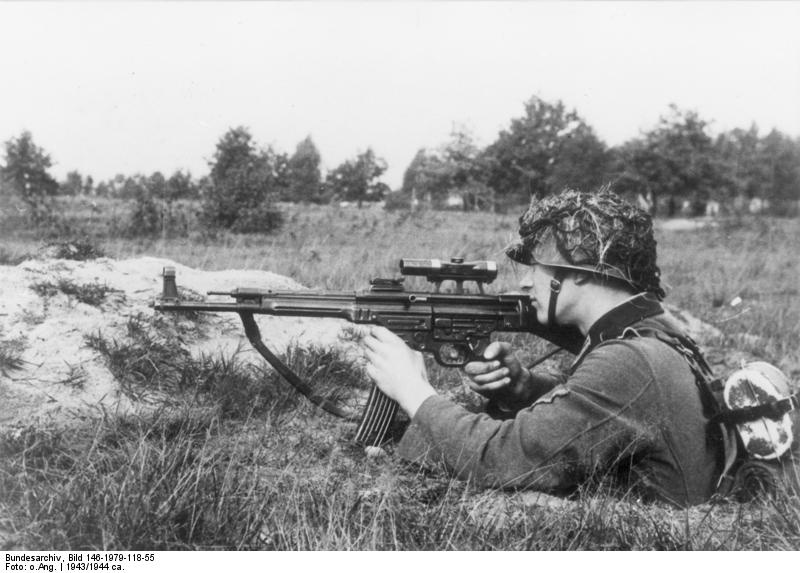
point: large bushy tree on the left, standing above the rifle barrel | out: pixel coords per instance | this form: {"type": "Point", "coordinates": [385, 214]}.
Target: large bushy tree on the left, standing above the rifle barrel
{"type": "Point", "coordinates": [245, 182]}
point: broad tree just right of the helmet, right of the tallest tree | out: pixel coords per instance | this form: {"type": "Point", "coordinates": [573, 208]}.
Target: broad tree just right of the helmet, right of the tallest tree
{"type": "Point", "coordinates": [676, 160]}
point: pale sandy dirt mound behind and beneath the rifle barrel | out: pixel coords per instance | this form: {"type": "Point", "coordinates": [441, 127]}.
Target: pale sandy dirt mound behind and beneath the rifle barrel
{"type": "Point", "coordinates": [48, 308]}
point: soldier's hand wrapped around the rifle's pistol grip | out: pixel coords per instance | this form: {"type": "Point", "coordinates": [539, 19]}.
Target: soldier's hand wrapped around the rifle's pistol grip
{"type": "Point", "coordinates": [500, 375]}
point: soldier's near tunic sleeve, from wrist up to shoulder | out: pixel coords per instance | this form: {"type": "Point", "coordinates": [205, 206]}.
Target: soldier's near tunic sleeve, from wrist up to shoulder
{"type": "Point", "coordinates": [605, 409]}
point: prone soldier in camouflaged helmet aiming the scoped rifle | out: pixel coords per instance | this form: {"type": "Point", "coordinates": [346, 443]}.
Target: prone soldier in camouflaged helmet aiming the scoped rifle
{"type": "Point", "coordinates": [630, 406]}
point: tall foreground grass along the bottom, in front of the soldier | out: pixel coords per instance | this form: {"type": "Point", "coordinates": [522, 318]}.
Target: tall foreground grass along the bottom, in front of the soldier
{"type": "Point", "coordinates": [186, 479]}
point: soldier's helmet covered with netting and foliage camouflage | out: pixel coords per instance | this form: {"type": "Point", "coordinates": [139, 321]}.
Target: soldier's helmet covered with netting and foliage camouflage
{"type": "Point", "coordinates": [599, 232]}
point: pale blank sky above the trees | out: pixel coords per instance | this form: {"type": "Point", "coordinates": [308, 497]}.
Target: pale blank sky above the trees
{"type": "Point", "coordinates": [119, 87]}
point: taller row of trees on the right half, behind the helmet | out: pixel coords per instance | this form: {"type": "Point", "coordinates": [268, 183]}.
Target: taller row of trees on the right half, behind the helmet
{"type": "Point", "coordinates": [675, 165]}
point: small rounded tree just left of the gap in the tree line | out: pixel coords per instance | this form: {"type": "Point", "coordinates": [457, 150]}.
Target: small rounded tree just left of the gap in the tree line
{"type": "Point", "coordinates": [357, 179]}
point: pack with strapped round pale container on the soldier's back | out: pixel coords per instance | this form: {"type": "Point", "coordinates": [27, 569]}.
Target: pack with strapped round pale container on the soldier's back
{"type": "Point", "coordinates": [755, 412]}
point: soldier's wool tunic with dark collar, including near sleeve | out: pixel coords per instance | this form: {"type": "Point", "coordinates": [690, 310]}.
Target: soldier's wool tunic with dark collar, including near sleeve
{"type": "Point", "coordinates": [629, 409]}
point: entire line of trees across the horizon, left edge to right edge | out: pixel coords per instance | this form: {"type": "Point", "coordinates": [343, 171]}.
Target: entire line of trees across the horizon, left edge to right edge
{"type": "Point", "coordinates": [676, 165]}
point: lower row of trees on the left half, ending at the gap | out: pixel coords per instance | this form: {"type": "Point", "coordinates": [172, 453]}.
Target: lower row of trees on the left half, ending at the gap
{"type": "Point", "coordinates": [240, 193]}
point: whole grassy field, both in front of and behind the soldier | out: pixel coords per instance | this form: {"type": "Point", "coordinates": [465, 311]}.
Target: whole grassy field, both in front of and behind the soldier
{"type": "Point", "coordinates": [237, 461]}
